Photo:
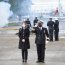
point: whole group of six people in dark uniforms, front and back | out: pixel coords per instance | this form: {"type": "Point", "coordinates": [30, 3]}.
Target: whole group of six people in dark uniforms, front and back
{"type": "Point", "coordinates": [41, 32]}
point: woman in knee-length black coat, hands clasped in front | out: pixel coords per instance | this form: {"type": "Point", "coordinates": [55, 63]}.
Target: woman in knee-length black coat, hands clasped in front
{"type": "Point", "coordinates": [24, 44]}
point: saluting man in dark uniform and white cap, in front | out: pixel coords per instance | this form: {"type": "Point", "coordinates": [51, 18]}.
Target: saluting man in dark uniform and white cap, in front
{"type": "Point", "coordinates": [40, 40]}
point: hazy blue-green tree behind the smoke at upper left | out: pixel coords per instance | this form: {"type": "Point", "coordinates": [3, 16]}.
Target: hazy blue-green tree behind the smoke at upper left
{"type": "Point", "coordinates": [20, 7]}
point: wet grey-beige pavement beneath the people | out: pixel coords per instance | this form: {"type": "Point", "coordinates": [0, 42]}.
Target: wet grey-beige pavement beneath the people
{"type": "Point", "coordinates": [11, 55]}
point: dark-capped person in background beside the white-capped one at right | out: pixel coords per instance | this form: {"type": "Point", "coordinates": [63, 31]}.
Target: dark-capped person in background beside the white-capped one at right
{"type": "Point", "coordinates": [50, 25]}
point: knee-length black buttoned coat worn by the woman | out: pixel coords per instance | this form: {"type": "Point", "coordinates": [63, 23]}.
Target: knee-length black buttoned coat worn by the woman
{"type": "Point", "coordinates": [24, 34]}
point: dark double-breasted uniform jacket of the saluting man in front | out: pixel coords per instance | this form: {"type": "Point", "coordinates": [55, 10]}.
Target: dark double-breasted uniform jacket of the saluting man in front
{"type": "Point", "coordinates": [41, 35]}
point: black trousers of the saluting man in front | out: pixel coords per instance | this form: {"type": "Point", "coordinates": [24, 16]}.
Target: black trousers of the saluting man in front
{"type": "Point", "coordinates": [40, 52]}
